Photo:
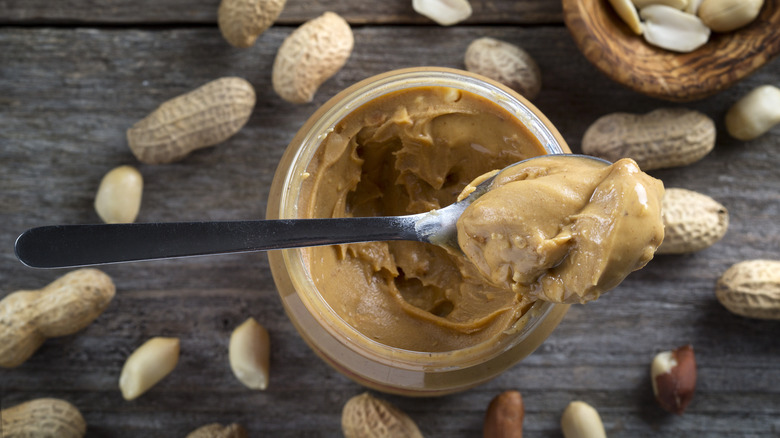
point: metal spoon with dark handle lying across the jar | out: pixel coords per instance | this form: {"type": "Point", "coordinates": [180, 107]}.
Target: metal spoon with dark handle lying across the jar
{"type": "Point", "coordinates": [61, 246]}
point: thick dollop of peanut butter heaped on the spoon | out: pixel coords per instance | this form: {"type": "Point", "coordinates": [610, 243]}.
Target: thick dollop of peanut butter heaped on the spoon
{"type": "Point", "coordinates": [563, 229]}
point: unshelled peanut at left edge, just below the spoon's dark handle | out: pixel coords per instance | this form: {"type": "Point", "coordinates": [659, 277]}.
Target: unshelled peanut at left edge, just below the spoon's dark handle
{"type": "Point", "coordinates": [67, 305]}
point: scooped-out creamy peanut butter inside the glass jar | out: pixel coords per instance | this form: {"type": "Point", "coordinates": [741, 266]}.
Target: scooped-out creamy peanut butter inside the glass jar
{"type": "Point", "coordinates": [409, 152]}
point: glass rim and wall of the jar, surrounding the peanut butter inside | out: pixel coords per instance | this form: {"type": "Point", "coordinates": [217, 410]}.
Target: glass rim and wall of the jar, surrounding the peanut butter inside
{"type": "Point", "coordinates": [370, 363]}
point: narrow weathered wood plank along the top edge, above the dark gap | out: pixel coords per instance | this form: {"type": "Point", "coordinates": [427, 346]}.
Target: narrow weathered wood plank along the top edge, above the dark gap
{"type": "Point", "coordinates": [295, 12]}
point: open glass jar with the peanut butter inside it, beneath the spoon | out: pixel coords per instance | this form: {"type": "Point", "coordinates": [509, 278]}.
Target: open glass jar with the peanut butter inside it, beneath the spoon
{"type": "Point", "coordinates": [408, 318]}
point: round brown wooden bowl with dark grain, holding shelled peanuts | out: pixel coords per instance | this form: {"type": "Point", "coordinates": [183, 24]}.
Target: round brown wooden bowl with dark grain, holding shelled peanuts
{"type": "Point", "coordinates": [608, 43]}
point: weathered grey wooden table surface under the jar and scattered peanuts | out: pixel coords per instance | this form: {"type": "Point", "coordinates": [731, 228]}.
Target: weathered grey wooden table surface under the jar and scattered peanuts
{"type": "Point", "coordinates": [74, 75]}
